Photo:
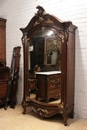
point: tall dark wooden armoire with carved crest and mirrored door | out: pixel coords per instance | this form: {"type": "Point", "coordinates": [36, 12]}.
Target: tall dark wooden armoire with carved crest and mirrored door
{"type": "Point", "coordinates": [59, 41]}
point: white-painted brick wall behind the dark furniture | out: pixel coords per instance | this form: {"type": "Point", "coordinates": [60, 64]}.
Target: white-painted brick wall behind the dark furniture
{"type": "Point", "coordinates": [19, 12]}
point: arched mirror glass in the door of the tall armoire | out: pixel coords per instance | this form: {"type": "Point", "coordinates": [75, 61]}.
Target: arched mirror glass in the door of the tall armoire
{"type": "Point", "coordinates": [45, 66]}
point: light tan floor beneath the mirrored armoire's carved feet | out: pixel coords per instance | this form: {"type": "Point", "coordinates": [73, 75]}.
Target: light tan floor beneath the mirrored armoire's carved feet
{"type": "Point", "coordinates": [13, 119]}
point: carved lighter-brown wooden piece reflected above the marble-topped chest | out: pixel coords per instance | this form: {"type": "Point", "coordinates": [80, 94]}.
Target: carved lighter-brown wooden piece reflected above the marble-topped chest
{"type": "Point", "coordinates": [52, 52]}
